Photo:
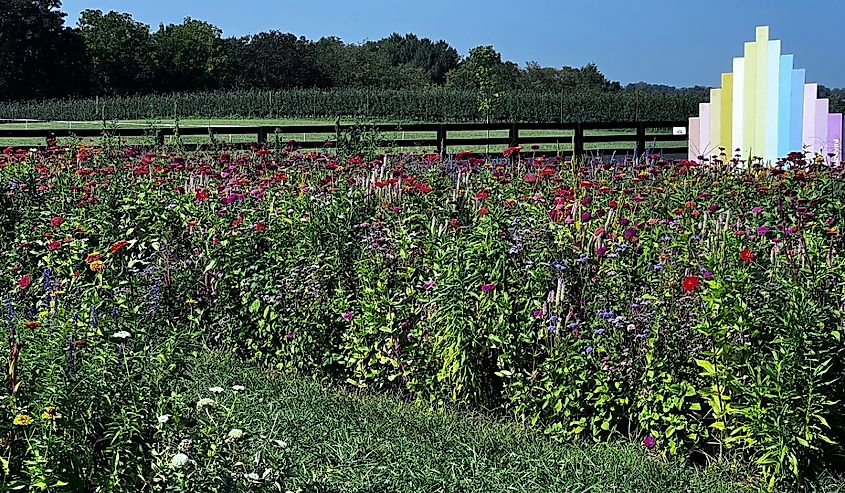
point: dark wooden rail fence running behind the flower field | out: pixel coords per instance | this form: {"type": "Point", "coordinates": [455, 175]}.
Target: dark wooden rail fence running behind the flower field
{"type": "Point", "coordinates": [641, 134]}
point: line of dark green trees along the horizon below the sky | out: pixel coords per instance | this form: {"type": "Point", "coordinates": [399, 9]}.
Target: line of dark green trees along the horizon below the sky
{"type": "Point", "coordinates": [112, 54]}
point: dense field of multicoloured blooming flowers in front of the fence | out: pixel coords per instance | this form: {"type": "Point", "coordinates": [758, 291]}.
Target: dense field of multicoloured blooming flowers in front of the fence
{"type": "Point", "coordinates": [694, 308]}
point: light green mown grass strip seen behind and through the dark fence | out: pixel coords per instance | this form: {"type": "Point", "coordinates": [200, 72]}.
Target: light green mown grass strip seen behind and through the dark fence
{"type": "Point", "coordinates": [565, 144]}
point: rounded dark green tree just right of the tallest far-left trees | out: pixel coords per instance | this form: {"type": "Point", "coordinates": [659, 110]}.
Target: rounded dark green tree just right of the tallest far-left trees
{"type": "Point", "coordinates": [120, 51]}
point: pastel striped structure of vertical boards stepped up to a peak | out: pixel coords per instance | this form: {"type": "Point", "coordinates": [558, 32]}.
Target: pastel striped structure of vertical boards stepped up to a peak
{"type": "Point", "coordinates": [765, 108]}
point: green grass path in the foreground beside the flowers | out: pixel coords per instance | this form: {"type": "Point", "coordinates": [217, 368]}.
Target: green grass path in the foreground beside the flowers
{"type": "Point", "coordinates": [342, 442]}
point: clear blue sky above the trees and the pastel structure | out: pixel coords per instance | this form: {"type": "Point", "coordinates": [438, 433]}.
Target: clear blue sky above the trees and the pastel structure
{"type": "Point", "coordinates": [677, 42]}
